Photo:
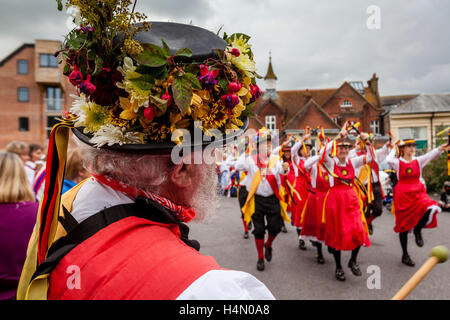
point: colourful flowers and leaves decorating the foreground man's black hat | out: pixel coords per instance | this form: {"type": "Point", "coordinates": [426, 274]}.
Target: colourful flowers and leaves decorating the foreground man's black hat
{"type": "Point", "coordinates": [132, 93]}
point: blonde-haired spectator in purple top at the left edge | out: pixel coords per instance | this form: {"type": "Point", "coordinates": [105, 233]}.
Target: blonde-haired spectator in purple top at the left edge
{"type": "Point", "coordinates": [18, 212]}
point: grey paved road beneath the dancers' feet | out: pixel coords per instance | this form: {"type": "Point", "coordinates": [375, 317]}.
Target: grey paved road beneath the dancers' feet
{"type": "Point", "coordinates": [294, 274]}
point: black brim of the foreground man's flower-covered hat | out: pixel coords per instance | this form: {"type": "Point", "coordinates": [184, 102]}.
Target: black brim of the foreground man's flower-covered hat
{"type": "Point", "coordinates": [163, 147]}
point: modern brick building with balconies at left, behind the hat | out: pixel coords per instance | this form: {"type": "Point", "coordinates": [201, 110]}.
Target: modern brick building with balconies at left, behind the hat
{"type": "Point", "coordinates": [33, 92]}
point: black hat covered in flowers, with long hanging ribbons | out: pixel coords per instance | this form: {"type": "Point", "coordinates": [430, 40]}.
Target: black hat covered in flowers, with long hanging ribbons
{"type": "Point", "coordinates": [137, 85]}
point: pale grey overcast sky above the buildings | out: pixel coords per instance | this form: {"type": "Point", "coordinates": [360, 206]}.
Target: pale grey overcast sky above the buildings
{"type": "Point", "coordinates": [314, 43]}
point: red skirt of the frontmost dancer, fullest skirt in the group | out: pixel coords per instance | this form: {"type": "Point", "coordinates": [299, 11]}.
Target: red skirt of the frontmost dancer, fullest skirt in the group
{"type": "Point", "coordinates": [344, 228]}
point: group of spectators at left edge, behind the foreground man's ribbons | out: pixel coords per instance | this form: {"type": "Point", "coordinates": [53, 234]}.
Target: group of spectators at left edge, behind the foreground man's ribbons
{"type": "Point", "coordinates": [22, 178]}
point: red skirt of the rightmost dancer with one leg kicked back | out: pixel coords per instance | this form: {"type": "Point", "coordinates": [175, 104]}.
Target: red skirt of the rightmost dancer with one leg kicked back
{"type": "Point", "coordinates": [411, 202]}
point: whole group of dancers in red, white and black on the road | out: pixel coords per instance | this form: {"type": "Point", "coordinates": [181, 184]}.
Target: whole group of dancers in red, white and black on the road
{"type": "Point", "coordinates": [333, 197]}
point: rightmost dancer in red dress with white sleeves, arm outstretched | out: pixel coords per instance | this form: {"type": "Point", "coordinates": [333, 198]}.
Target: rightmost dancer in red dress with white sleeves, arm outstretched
{"type": "Point", "coordinates": [412, 208]}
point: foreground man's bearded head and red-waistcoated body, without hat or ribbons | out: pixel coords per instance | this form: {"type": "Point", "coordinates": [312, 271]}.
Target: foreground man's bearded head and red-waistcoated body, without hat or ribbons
{"type": "Point", "coordinates": [140, 203]}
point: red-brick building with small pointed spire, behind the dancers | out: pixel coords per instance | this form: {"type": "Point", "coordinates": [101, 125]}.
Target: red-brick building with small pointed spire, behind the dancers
{"type": "Point", "coordinates": [290, 111]}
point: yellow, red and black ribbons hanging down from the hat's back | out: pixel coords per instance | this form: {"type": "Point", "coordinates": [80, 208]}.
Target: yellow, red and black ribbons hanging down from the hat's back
{"type": "Point", "coordinates": [47, 218]}
